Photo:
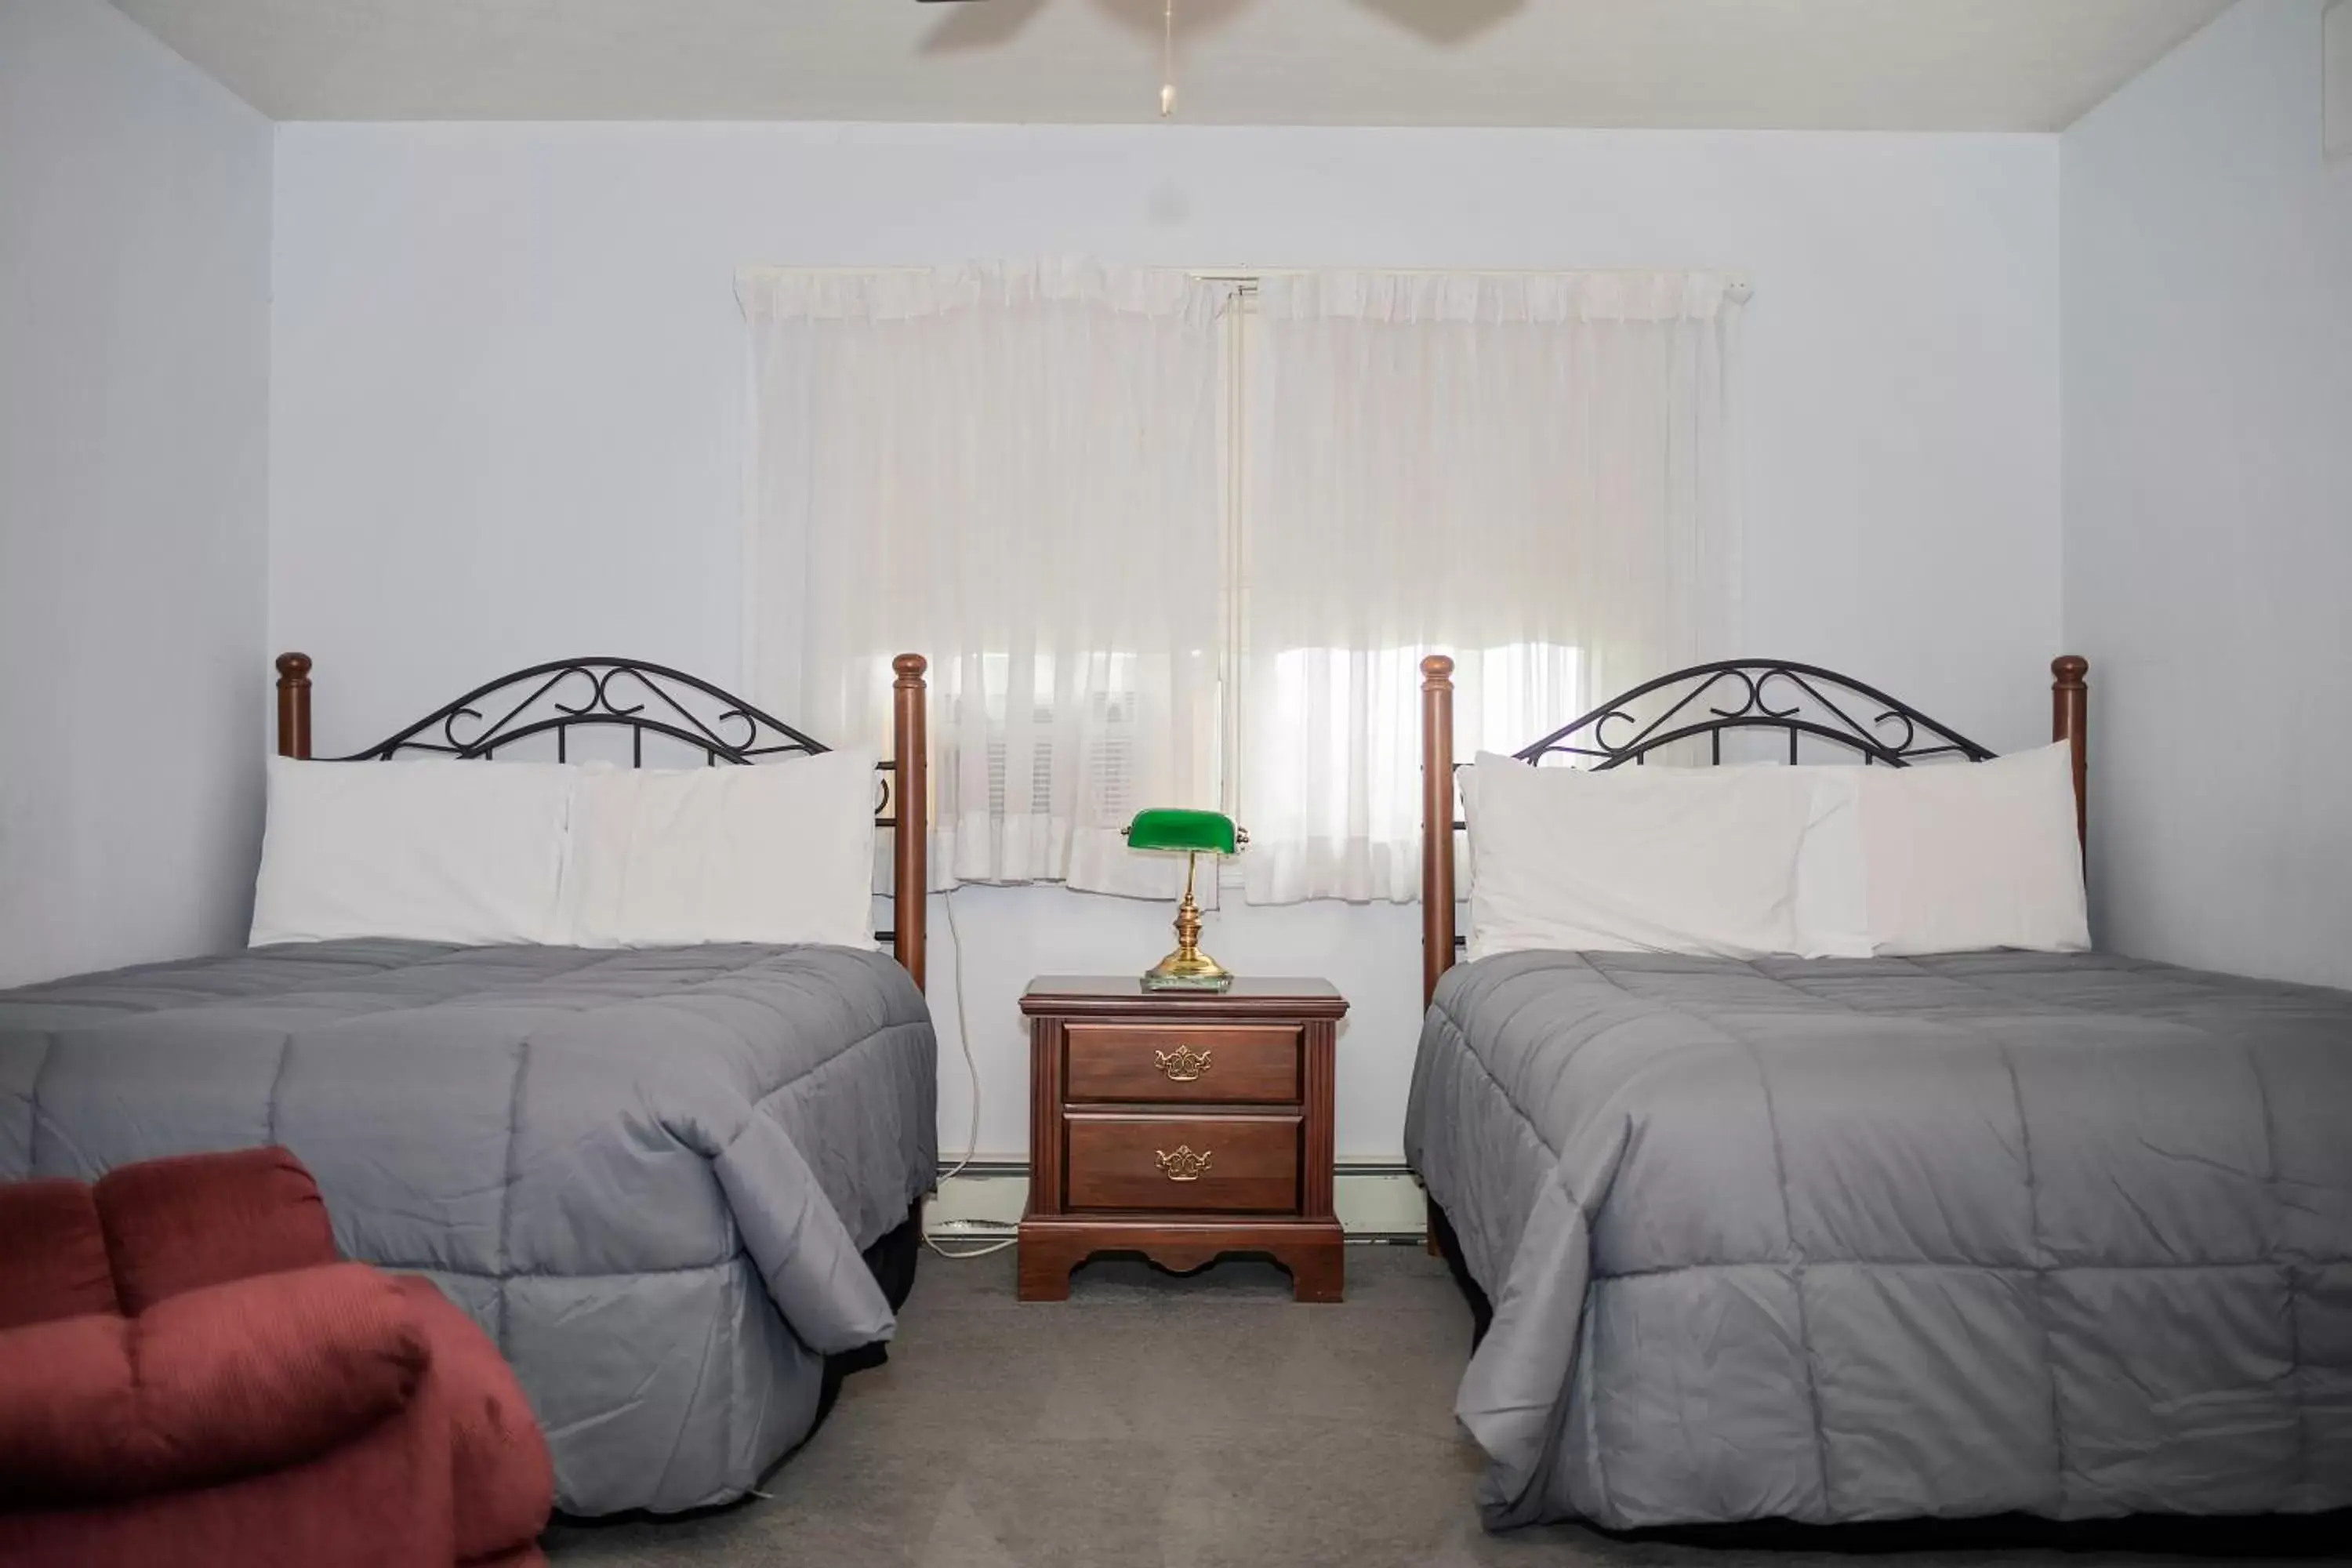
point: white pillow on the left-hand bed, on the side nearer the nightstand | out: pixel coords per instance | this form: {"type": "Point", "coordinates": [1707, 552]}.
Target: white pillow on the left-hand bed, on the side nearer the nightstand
{"type": "Point", "coordinates": [777, 852]}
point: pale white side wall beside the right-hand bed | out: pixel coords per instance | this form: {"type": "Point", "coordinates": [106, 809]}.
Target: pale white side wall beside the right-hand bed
{"type": "Point", "coordinates": [2210, 502]}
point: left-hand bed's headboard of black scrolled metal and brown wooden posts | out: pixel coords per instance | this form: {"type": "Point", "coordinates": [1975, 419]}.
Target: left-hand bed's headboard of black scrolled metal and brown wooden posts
{"type": "Point", "coordinates": [660, 702]}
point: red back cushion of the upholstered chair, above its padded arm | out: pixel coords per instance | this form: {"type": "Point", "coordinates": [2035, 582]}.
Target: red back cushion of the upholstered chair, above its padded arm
{"type": "Point", "coordinates": [206, 1219]}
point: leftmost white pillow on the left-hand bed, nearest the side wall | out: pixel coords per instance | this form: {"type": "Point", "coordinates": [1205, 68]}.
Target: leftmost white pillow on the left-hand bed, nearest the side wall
{"type": "Point", "coordinates": [441, 852]}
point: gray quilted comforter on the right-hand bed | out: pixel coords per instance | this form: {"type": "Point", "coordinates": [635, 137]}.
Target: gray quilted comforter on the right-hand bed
{"type": "Point", "coordinates": [1897, 1238]}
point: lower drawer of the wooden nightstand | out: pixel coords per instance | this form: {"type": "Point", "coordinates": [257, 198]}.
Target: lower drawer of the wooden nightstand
{"type": "Point", "coordinates": [1227, 1165]}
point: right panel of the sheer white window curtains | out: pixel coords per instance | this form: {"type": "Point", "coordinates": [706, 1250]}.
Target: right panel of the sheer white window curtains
{"type": "Point", "coordinates": [1530, 474]}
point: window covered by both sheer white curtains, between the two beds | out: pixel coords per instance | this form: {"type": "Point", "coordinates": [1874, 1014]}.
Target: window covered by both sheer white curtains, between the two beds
{"type": "Point", "coordinates": [1184, 540]}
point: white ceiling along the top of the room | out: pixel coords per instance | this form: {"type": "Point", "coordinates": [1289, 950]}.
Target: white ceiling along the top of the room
{"type": "Point", "coordinates": [1768, 65]}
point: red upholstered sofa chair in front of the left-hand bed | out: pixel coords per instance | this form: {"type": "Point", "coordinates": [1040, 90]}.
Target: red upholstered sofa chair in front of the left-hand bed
{"type": "Point", "coordinates": [189, 1376]}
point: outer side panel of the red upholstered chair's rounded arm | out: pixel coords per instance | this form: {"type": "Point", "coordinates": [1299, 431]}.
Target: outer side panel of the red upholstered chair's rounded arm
{"type": "Point", "coordinates": [505, 1475]}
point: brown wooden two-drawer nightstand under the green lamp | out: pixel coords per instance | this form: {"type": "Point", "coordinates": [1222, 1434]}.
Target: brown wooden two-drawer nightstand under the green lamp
{"type": "Point", "coordinates": [1182, 1125]}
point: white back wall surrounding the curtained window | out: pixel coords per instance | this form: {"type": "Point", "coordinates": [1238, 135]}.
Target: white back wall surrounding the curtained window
{"type": "Point", "coordinates": [509, 408]}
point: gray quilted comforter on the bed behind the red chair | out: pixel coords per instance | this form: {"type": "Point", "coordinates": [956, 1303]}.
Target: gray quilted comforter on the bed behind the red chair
{"type": "Point", "coordinates": [646, 1174]}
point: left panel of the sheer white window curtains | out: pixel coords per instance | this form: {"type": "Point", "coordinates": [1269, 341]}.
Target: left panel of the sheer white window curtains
{"type": "Point", "coordinates": [1013, 471]}
